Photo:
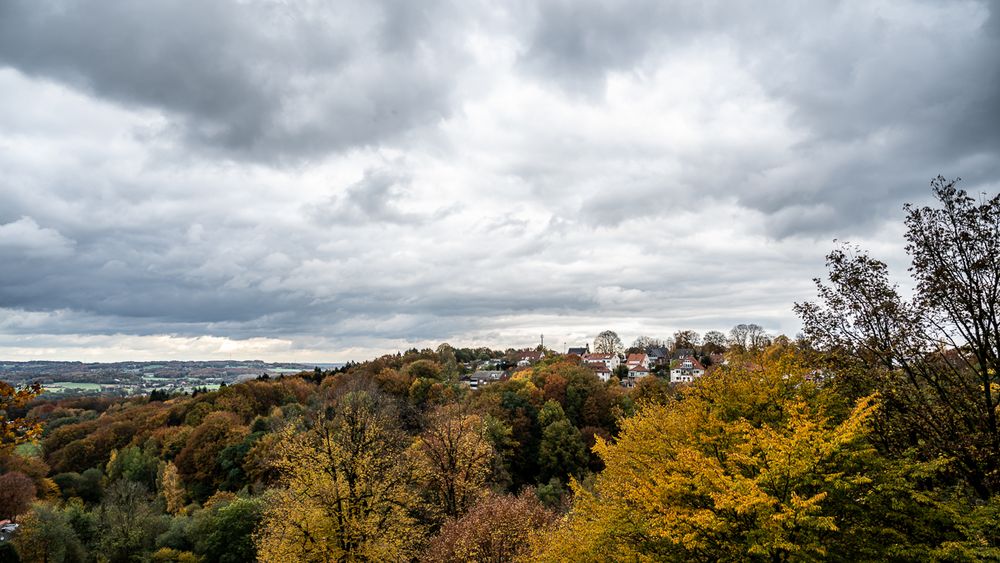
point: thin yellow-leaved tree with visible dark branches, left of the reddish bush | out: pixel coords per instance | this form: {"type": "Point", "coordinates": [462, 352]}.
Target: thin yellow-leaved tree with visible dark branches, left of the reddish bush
{"type": "Point", "coordinates": [347, 492]}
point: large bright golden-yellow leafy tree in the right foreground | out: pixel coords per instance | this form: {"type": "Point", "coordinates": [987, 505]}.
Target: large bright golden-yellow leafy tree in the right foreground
{"type": "Point", "coordinates": [752, 462]}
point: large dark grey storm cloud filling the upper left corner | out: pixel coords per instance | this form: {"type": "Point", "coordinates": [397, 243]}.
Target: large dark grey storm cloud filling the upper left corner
{"type": "Point", "coordinates": [253, 79]}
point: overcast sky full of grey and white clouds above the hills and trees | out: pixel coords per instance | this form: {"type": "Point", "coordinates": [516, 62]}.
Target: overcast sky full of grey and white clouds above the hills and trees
{"type": "Point", "coordinates": [332, 180]}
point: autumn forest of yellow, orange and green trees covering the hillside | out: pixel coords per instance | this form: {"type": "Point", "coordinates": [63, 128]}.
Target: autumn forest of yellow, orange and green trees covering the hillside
{"type": "Point", "coordinates": [872, 435]}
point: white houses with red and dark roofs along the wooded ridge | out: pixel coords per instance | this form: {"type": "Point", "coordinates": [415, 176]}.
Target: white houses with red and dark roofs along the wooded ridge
{"type": "Point", "coordinates": [682, 364]}
